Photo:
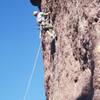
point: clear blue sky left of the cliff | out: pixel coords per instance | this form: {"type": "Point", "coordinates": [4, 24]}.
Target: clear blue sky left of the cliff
{"type": "Point", "coordinates": [19, 42]}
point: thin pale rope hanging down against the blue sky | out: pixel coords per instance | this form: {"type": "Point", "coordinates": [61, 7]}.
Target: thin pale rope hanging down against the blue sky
{"type": "Point", "coordinates": [32, 73]}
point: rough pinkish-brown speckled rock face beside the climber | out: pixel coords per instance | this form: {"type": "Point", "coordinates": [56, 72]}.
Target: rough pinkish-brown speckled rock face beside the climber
{"type": "Point", "coordinates": [72, 62]}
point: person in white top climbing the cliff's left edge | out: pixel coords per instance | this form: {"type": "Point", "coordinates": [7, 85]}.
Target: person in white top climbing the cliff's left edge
{"type": "Point", "coordinates": [43, 23]}
